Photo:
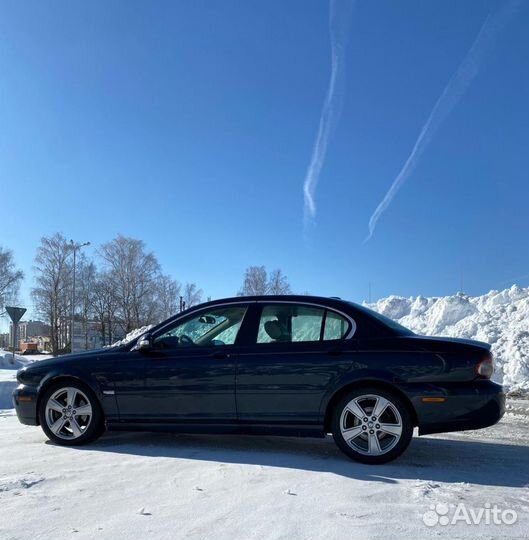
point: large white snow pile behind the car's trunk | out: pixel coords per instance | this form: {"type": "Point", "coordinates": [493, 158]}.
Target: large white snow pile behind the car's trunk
{"type": "Point", "coordinates": [500, 318]}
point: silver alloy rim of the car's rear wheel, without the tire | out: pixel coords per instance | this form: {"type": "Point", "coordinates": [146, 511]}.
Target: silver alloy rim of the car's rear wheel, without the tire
{"type": "Point", "coordinates": [371, 424]}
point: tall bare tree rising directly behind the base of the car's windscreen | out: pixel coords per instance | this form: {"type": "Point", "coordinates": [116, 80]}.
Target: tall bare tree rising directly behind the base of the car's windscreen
{"type": "Point", "coordinates": [133, 274]}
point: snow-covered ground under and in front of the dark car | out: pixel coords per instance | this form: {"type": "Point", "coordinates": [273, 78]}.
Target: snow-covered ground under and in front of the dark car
{"type": "Point", "coordinates": [132, 486]}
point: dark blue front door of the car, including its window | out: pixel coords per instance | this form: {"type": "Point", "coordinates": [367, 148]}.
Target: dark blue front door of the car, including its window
{"type": "Point", "coordinates": [190, 372]}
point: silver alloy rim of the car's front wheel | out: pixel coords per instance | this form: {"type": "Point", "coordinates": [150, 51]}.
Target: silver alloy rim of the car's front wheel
{"type": "Point", "coordinates": [68, 413]}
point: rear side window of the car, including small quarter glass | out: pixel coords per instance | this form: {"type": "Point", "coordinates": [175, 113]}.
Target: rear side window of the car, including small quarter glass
{"type": "Point", "coordinates": [298, 323]}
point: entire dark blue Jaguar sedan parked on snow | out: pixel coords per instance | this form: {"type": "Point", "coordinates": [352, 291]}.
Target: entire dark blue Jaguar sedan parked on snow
{"type": "Point", "coordinates": [275, 365]}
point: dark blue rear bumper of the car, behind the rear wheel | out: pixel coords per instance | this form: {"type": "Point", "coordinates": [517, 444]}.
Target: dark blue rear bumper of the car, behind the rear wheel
{"type": "Point", "coordinates": [472, 405]}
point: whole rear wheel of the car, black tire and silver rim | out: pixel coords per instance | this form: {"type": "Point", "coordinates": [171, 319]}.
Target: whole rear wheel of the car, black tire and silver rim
{"type": "Point", "coordinates": [361, 435]}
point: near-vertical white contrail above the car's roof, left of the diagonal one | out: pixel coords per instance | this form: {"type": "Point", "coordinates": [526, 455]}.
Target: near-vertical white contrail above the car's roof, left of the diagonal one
{"type": "Point", "coordinates": [338, 28]}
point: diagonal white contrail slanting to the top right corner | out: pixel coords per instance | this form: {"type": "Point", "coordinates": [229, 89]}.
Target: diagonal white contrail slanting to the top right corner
{"type": "Point", "coordinates": [451, 95]}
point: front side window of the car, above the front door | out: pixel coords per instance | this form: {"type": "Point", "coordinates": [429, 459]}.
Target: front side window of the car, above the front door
{"type": "Point", "coordinates": [216, 326]}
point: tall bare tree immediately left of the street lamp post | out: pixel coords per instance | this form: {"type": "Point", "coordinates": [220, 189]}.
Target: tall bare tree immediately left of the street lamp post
{"type": "Point", "coordinates": [52, 293]}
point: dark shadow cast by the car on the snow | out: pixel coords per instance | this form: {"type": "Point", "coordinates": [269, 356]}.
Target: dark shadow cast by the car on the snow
{"type": "Point", "coordinates": [429, 459]}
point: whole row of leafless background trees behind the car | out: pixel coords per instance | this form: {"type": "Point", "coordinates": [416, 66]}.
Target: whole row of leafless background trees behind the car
{"type": "Point", "coordinates": [120, 289]}
